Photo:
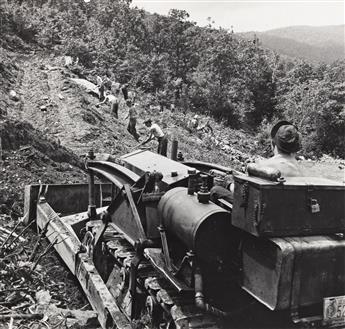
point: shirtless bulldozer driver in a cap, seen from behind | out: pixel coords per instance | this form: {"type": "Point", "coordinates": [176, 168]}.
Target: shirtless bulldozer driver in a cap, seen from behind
{"type": "Point", "coordinates": [285, 142]}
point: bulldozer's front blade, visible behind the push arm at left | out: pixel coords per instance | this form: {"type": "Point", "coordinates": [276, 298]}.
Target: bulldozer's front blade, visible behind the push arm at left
{"type": "Point", "coordinates": [63, 198]}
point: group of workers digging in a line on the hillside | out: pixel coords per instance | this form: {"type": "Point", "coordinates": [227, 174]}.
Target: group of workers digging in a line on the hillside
{"type": "Point", "coordinates": [112, 96]}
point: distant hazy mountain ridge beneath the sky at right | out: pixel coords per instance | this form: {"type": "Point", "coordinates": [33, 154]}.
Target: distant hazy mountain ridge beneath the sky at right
{"type": "Point", "coordinates": [313, 43]}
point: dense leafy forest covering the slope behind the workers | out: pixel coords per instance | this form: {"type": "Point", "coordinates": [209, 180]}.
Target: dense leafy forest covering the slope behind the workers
{"type": "Point", "coordinates": [201, 69]}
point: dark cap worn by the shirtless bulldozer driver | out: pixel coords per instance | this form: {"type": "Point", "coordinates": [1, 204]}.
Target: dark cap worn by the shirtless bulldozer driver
{"type": "Point", "coordinates": [286, 137]}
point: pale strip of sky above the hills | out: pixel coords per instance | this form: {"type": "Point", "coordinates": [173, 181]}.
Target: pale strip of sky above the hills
{"type": "Point", "coordinates": [255, 15]}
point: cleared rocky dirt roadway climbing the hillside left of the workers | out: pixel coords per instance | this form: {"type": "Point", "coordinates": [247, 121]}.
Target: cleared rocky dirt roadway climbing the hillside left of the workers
{"type": "Point", "coordinates": [64, 111]}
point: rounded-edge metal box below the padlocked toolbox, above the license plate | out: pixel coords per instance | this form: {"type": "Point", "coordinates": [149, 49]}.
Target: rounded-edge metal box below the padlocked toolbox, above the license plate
{"type": "Point", "coordinates": [293, 272]}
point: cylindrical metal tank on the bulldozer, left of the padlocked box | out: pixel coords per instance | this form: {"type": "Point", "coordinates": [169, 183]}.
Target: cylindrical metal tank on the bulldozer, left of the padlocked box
{"type": "Point", "coordinates": [201, 227]}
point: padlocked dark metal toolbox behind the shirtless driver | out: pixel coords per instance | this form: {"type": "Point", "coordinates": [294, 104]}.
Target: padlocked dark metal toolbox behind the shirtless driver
{"type": "Point", "coordinates": [298, 206]}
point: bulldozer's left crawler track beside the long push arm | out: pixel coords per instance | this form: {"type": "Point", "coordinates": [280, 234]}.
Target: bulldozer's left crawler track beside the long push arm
{"type": "Point", "coordinates": [158, 301]}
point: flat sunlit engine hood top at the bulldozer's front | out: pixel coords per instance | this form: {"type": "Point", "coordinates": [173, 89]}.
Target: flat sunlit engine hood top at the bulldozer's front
{"type": "Point", "coordinates": [143, 161]}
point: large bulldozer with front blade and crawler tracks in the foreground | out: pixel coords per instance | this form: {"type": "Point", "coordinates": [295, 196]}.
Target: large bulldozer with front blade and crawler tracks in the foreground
{"type": "Point", "coordinates": [151, 250]}
